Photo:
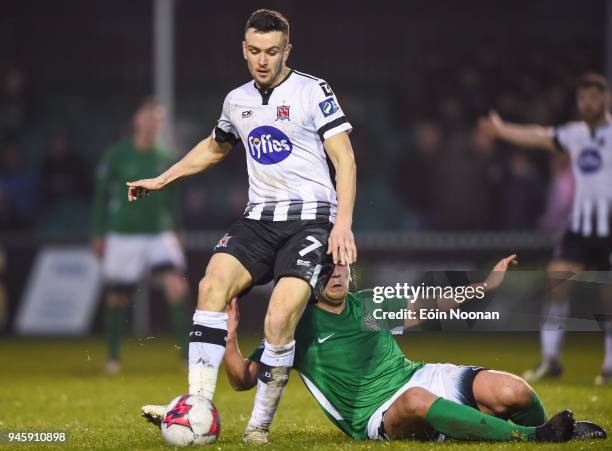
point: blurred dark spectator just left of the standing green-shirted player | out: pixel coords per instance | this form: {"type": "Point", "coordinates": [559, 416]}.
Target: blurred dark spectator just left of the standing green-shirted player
{"type": "Point", "coordinates": [66, 175]}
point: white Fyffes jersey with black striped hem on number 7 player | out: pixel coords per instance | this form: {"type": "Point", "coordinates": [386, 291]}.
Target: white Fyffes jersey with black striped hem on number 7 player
{"type": "Point", "coordinates": [283, 130]}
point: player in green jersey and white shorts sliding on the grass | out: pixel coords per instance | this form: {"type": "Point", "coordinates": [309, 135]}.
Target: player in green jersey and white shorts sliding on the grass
{"type": "Point", "coordinates": [368, 388]}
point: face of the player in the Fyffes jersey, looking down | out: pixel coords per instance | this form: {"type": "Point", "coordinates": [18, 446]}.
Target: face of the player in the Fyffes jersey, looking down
{"type": "Point", "coordinates": [266, 55]}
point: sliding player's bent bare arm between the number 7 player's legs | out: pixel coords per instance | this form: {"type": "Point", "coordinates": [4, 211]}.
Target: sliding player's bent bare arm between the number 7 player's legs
{"type": "Point", "coordinates": [241, 372]}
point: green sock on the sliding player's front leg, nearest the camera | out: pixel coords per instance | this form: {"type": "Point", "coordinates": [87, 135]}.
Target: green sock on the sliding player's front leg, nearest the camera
{"type": "Point", "coordinates": [466, 423]}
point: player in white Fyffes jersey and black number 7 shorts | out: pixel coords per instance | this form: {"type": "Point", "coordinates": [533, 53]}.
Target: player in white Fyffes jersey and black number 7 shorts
{"type": "Point", "coordinates": [287, 121]}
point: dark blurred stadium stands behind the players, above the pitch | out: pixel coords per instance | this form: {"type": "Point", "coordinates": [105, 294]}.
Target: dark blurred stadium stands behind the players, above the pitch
{"type": "Point", "coordinates": [413, 77]}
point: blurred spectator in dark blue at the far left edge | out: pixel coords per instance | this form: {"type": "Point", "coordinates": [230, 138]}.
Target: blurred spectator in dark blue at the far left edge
{"type": "Point", "coordinates": [18, 189]}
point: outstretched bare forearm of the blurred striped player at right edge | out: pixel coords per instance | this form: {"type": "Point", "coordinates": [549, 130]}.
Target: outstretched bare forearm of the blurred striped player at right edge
{"type": "Point", "coordinates": [534, 136]}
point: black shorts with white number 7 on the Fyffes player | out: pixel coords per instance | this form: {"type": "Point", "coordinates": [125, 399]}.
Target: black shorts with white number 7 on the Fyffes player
{"type": "Point", "coordinates": [270, 250]}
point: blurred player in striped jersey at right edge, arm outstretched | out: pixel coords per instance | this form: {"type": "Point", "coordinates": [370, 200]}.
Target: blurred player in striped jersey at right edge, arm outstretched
{"type": "Point", "coordinates": [587, 244]}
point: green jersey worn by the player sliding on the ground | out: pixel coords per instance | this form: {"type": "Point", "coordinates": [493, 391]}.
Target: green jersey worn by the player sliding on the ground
{"type": "Point", "coordinates": [350, 370]}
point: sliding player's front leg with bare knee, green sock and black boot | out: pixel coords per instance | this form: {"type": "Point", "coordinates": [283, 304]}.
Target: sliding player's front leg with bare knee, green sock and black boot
{"type": "Point", "coordinates": [417, 405]}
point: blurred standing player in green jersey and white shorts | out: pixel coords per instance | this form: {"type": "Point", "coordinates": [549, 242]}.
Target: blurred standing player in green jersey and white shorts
{"type": "Point", "coordinates": [132, 240]}
